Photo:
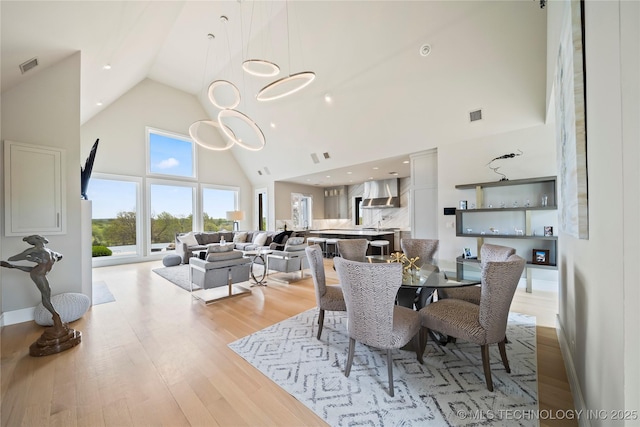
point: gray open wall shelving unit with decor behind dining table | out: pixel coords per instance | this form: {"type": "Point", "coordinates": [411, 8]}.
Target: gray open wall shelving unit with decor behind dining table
{"type": "Point", "coordinates": [522, 211]}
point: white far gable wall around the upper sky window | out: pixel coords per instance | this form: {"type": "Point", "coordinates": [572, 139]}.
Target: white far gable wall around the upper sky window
{"type": "Point", "coordinates": [122, 148]}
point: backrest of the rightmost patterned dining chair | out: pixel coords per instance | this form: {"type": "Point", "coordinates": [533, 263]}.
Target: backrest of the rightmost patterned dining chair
{"type": "Point", "coordinates": [499, 282]}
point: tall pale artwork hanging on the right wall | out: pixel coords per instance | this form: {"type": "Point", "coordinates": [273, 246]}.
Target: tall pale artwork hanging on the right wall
{"type": "Point", "coordinates": [571, 126]}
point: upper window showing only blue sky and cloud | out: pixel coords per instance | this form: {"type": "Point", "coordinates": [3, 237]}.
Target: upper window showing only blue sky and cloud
{"type": "Point", "coordinates": [170, 154]}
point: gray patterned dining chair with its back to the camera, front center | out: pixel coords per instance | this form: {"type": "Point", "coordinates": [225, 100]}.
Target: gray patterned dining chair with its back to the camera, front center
{"type": "Point", "coordinates": [373, 317]}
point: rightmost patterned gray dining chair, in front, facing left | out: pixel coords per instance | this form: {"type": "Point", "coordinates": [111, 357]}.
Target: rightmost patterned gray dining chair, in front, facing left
{"type": "Point", "coordinates": [481, 324]}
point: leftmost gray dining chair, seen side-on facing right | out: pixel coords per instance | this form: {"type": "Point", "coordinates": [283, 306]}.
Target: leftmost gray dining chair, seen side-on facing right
{"type": "Point", "coordinates": [328, 297]}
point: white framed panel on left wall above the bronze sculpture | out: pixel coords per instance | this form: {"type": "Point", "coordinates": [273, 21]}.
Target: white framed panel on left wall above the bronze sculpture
{"type": "Point", "coordinates": [34, 189]}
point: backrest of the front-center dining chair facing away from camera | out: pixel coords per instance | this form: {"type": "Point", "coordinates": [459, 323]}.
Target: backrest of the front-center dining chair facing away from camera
{"type": "Point", "coordinates": [369, 292]}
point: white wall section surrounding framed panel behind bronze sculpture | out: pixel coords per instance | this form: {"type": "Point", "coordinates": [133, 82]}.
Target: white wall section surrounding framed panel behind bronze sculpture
{"type": "Point", "coordinates": [45, 110]}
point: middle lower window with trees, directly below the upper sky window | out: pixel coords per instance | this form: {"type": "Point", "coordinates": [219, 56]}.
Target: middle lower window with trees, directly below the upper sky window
{"type": "Point", "coordinates": [171, 212]}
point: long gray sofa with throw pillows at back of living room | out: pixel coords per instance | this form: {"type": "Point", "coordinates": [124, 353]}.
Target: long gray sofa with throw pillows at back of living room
{"type": "Point", "coordinates": [188, 243]}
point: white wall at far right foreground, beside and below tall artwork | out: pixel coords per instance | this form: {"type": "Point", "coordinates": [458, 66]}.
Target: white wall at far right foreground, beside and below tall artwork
{"type": "Point", "coordinates": [598, 294]}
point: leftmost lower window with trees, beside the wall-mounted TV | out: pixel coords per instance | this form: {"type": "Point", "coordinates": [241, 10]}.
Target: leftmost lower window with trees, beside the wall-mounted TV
{"type": "Point", "coordinates": [115, 221]}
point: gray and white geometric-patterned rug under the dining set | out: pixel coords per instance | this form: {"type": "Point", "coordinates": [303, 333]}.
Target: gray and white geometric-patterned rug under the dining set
{"type": "Point", "coordinates": [448, 390]}
